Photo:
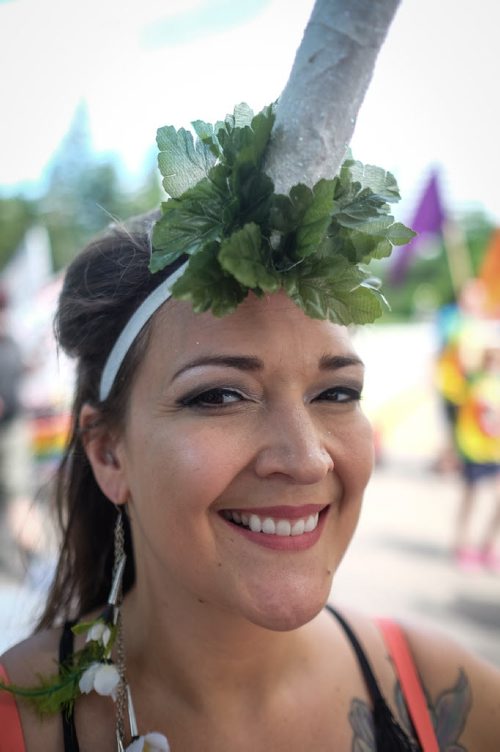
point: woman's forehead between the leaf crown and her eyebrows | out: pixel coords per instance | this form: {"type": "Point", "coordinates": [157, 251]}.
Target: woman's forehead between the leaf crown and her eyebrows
{"type": "Point", "coordinates": [272, 326]}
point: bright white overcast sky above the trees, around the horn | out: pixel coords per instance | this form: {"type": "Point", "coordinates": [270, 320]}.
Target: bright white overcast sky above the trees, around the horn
{"type": "Point", "coordinates": [139, 64]}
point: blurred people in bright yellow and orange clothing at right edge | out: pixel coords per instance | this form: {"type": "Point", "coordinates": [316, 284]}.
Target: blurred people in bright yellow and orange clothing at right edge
{"type": "Point", "coordinates": [468, 382]}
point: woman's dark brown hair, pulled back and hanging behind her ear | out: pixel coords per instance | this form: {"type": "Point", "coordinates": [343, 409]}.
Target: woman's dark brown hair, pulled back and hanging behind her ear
{"type": "Point", "coordinates": [102, 288]}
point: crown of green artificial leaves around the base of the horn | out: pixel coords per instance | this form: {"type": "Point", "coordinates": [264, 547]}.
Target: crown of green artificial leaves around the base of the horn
{"type": "Point", "coordinates": [240, 235]}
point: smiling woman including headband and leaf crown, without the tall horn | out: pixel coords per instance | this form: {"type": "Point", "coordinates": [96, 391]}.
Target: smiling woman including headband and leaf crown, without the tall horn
{"type": "Point", "coordinates": [214, 478]}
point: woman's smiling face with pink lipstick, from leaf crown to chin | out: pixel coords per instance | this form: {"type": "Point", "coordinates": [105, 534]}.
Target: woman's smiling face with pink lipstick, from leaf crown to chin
{"type": "Point", "coordinates": [245, 454]}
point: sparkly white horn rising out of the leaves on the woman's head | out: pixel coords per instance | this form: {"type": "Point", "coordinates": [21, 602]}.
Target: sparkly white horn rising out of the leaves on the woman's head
{"type": "Point", "coordinates": [317, 110]}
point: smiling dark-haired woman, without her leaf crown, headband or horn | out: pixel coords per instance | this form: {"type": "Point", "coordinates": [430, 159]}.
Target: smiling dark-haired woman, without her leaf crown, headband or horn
{"type": "Point", "coordinates": [229, 458]}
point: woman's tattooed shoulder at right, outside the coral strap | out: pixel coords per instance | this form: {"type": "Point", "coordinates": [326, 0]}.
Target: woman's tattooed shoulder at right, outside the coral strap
{"type": "Point", "coordinates": [463, 690]}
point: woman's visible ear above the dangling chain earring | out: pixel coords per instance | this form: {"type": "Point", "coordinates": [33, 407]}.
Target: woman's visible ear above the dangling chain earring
{"type": "Point", "coordinates": [101, 449]}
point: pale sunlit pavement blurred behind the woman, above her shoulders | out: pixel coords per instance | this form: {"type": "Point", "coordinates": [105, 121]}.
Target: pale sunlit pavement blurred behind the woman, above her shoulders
{"type": "Point", "coordinates": [398, 564]}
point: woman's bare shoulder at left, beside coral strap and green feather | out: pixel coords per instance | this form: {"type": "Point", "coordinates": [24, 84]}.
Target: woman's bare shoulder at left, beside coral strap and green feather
{"type": "Point", "coordinates": [24, 663]}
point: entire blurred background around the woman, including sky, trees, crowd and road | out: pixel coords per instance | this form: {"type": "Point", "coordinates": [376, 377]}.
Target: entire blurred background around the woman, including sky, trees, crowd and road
{"type": "Point", "coordinates": [84, 87]}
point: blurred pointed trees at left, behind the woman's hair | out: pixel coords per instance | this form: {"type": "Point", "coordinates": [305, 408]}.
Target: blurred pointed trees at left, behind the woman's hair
{"type": "Point", "coordinates": [82, 193]}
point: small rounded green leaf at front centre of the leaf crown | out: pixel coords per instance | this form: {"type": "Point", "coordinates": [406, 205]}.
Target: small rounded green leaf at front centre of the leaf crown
{"type": "Point", "coordinates": [242, 255]}
